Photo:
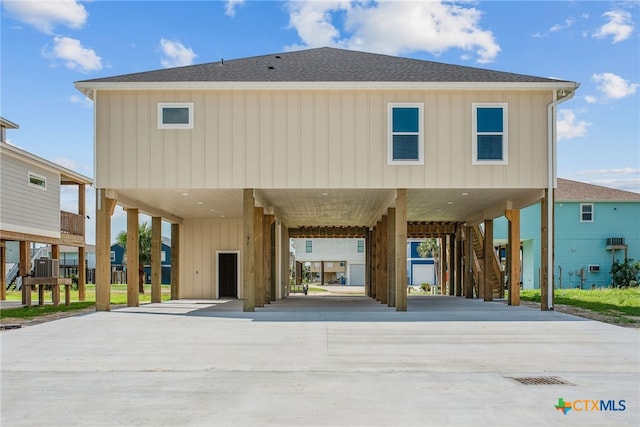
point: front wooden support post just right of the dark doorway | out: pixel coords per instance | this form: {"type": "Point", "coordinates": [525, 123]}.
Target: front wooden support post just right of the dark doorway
{"type": "Point", "coordinates": [248, 264]}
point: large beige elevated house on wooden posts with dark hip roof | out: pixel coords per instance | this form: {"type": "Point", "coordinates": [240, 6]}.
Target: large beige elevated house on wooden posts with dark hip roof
{"type": "Point", "coordinates": [240, 155]}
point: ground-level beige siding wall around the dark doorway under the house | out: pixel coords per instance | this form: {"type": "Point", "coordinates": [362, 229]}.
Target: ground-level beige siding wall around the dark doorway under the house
{"type": "Point", "coordinates": [198, 263]}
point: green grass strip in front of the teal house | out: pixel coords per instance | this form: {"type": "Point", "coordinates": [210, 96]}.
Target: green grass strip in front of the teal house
{"type": "Point", "coordinates": [614, 302]}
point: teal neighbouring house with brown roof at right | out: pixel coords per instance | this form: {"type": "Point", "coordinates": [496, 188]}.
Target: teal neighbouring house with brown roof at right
{"type": "Point", "coordinates": [594, 226]}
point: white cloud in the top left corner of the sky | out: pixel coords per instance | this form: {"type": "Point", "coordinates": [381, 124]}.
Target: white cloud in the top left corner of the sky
{"type": "Point", "coordinates": [44, 15]}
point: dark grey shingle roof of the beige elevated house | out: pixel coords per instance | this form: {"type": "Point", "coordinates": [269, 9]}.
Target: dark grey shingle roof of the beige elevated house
{"type": "Point", "coordinates": [325, 65]}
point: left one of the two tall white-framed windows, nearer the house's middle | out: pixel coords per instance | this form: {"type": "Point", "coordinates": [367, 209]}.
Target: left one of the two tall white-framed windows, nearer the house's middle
{"type": "Point", "coordinates": [405, 122]}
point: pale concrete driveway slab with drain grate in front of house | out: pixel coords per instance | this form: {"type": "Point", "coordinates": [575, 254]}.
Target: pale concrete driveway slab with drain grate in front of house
{"type": "Point", "coordinates": [319, 361]}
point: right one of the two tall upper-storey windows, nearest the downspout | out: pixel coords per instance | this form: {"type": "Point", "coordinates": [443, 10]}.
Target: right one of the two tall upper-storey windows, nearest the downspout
{"type": "Point", "coordinates": [489, 129]}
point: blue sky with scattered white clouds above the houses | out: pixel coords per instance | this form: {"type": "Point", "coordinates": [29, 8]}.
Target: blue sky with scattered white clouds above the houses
{"type": "Point", "coordinates": [47, 45]}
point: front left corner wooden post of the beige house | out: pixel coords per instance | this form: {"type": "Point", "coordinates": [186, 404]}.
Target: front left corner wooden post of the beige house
{"type": "Point", "coordinates": [104, 210]}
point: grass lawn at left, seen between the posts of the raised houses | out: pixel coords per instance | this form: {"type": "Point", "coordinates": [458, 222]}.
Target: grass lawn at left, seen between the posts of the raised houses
{"type": "Point", "coordinates": [118, 296]}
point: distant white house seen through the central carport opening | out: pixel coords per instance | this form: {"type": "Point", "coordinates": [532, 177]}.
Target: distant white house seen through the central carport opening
{"type": "Point", "coordinates": [337, 261]}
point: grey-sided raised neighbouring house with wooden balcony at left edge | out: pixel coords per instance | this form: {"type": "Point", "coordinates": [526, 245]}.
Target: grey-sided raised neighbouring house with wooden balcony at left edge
{"type": "Point", "coordinates": [30, 212]}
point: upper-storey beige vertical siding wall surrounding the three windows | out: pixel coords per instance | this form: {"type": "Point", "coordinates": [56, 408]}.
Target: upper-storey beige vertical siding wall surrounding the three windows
{"type": "Point", "coordinates": [314, 139]}
